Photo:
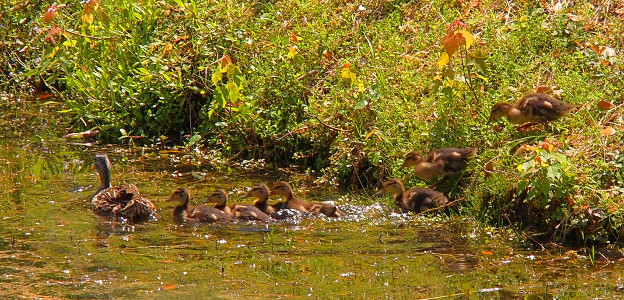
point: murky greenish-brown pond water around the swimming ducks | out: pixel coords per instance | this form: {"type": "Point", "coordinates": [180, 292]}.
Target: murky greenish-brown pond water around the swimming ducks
{"type": "Point", "coordinates": [53, 246]}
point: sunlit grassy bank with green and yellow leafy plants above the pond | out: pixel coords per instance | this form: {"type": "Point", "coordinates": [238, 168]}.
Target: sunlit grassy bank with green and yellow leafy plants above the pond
{"type": "Point", "coordinates": [348, 89]}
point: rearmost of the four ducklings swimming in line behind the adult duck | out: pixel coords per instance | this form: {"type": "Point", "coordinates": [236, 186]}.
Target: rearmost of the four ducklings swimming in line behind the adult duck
{"type": "Point", "coordinates": [283, 188]}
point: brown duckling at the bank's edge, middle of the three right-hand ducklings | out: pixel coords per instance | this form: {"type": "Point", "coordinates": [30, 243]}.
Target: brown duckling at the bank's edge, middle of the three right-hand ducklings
{"type": "Point", "coordinates": [446, 161]}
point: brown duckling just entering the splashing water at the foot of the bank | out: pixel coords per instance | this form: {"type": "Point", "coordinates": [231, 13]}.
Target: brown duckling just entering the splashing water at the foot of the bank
{"type": "Point", "coordinates": [415, 199]}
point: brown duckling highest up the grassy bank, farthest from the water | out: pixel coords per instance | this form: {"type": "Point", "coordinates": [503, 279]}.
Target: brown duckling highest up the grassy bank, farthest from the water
{"type": "Point", "coordinates": [533, 108]}
